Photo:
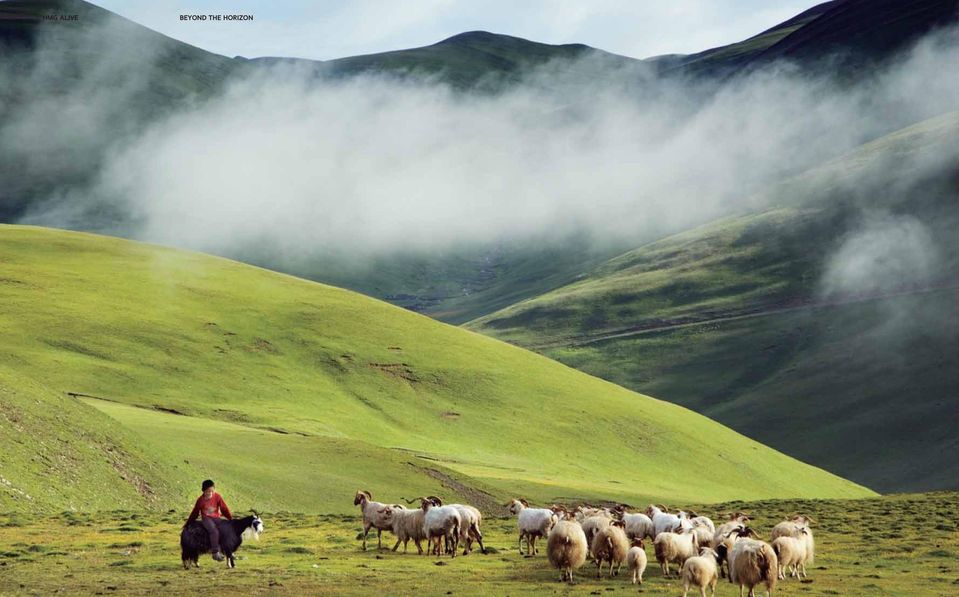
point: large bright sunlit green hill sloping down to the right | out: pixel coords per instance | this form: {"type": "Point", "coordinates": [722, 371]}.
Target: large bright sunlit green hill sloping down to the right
{"type": "Point", "coordinates": [218, 341]}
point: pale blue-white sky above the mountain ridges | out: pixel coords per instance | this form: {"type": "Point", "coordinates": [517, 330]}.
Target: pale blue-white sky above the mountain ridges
{"type": "Point", "coordinates": [325, 29]}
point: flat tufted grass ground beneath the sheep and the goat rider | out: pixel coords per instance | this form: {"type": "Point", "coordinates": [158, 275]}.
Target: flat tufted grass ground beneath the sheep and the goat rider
{"type": "Point", "coordinates": [858, 554]}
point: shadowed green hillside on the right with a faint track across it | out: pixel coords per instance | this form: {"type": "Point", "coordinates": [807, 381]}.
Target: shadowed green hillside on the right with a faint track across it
{"type": "Point", "coordinates": [730, 319]}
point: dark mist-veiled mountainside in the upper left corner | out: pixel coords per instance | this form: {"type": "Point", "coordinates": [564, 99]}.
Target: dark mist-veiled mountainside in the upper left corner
{"type": "Point", "coordinates": [71, 89]}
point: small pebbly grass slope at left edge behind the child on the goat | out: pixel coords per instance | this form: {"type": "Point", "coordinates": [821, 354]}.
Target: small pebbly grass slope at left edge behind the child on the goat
{"type": "Point", "coordinates": [60, 454]}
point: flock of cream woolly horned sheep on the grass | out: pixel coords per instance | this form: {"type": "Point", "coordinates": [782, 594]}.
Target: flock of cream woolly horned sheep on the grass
{"type": "Point", "coordinates": [611, 537]}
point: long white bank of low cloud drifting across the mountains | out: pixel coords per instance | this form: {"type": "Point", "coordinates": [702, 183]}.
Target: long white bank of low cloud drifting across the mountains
{"type": "Point", "coordinates": [373, 165]}
